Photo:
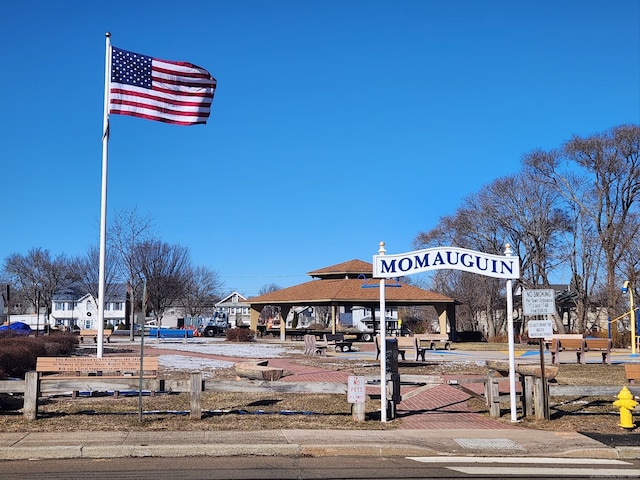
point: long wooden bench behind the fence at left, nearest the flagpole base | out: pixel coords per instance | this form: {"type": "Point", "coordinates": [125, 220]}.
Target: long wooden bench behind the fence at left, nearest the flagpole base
{"type": "Point", "coordinates": [60, 368]}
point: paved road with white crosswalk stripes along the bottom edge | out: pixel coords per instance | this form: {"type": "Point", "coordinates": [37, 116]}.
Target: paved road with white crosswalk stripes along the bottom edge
{"type": "Point", "coordinates": [327, 467]}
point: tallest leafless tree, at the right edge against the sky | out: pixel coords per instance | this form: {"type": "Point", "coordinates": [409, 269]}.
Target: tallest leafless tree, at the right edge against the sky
{"type": "Point", "coordinates": [606, 195]}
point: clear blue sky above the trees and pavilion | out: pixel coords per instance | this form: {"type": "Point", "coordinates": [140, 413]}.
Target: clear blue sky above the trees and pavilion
{"type": "Point", "coordinates": [336, 124]}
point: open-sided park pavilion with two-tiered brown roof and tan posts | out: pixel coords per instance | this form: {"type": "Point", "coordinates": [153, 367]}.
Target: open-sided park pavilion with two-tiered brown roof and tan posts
{"type": "Point", "coordinates": [349, 284]}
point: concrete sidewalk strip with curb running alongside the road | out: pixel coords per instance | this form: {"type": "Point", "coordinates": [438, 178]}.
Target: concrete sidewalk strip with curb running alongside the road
{"type": "Point", "coordinates": [459, 442]}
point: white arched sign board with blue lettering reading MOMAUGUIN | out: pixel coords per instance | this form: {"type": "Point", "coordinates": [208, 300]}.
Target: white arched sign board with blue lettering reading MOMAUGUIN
{"type": "Point", "coordinates": [390, 266]}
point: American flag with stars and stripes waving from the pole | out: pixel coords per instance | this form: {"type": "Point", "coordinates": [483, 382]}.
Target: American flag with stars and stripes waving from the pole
{"type": "Point", "coordinates": [172, 92]}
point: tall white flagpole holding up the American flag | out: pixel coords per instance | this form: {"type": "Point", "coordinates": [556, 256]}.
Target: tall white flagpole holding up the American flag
{"type": "Point", "coordinates": [103, 198]}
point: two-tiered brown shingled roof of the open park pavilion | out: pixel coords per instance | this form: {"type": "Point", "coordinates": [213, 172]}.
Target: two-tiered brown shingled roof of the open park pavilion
{"type": "Point", "coordinates": [340, 284]}
